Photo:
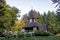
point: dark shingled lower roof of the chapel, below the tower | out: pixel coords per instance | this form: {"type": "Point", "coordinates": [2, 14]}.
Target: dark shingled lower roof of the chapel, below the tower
{"type": "Point", "coordinates": [35, 24]}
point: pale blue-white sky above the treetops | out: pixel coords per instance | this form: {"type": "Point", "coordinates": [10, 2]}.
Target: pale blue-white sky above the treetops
{"type": "Point", "coordinates": [26, 5]}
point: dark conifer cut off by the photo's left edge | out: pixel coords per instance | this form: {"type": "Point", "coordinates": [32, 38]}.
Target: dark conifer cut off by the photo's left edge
{"type": "Point", "coordinates": [3, 10]}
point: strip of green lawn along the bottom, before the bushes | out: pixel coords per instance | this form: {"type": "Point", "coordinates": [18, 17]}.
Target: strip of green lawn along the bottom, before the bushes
{"type": "Point", "coordinates": [33, 38]}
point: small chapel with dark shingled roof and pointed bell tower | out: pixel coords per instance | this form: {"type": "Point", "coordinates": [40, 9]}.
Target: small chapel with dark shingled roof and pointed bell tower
{"type": "Point", "coordinates": [32, 24]}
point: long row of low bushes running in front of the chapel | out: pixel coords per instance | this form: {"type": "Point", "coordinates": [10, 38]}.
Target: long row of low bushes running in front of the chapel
{"type": "Point", "coordinates": [27, 34]}
